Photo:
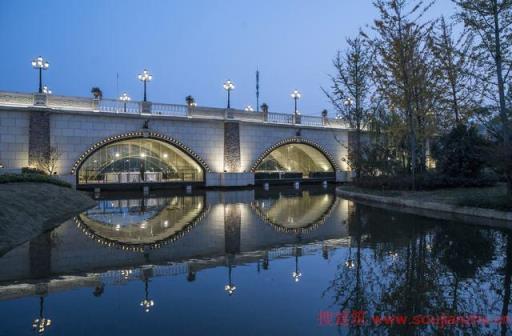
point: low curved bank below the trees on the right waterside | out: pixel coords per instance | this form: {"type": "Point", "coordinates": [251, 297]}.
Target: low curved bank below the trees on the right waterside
{"type": "Point", "coordinates": [491, 202]}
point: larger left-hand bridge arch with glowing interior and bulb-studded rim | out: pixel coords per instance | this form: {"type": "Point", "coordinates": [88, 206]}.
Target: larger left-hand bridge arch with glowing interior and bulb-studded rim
{"type": "Point", "coordinates": [139, 157]}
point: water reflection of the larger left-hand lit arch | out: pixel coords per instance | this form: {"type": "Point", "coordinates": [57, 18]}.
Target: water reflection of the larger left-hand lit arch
{"type": "Point", "coordinates": [139, 224]}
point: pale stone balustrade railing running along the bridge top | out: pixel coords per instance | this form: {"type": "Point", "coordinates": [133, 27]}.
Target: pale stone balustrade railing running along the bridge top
{"type": "Point", "coordinates": [174, 110]}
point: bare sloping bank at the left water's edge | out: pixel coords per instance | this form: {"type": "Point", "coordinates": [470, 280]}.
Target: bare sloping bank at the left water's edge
{"type": "Point", "coordinates": [28, 209]}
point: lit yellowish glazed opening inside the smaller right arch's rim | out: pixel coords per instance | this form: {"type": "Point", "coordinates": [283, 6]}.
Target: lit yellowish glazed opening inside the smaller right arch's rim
{"type": "Point", "coordinates": [296, 159]}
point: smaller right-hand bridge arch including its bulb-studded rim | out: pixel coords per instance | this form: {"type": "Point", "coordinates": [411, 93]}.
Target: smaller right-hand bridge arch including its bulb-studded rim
{"type": "Point", "coordinates": [296, 154]}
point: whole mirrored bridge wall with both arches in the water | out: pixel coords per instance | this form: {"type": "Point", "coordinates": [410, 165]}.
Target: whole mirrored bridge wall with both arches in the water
{"type": "Point", "coordinates": [119, 238]}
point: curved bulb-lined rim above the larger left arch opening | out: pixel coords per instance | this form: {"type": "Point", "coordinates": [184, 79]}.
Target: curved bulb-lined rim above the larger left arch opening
{"type": "Point", "coordinates": [131, 135]}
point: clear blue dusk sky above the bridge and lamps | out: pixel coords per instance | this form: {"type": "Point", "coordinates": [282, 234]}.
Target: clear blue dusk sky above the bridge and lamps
{"type": "Point", "coordinates": [190, 47]}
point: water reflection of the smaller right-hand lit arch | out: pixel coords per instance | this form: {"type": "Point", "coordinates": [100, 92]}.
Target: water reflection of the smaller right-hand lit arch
{"type": "Point", "coordinates": [295, 213]}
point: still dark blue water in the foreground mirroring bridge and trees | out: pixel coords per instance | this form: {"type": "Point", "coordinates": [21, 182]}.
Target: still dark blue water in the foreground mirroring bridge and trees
{"type": "Point", "coordinates": [256, 262]}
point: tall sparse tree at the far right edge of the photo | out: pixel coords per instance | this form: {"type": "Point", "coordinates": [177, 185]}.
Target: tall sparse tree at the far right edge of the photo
{"type": "Point", "coordinates": [491, 22]}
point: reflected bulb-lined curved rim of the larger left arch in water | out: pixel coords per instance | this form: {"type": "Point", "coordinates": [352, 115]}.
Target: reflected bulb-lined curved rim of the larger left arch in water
{"type": "Point", "coordinates": [88, 232]}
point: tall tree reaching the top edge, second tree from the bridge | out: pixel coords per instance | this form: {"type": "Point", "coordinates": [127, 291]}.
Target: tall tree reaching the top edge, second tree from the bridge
{"type": "Point", "coordinates": [400, 47]}
